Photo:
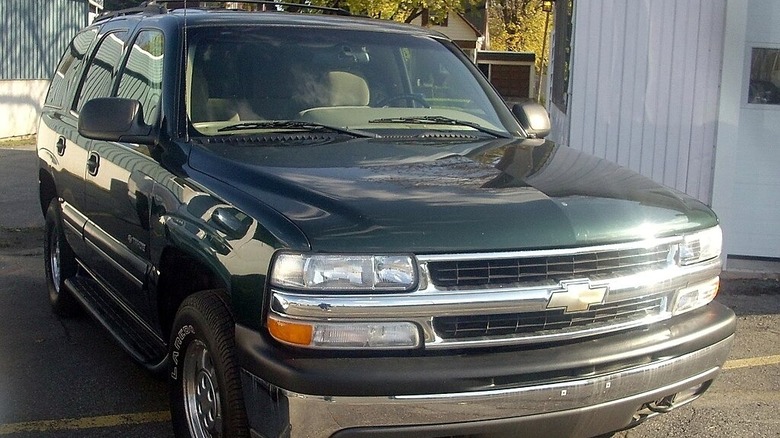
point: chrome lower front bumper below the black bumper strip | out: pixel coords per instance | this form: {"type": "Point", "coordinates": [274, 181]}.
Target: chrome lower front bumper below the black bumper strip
{"type": "Point", "coordinates": [623, 396]}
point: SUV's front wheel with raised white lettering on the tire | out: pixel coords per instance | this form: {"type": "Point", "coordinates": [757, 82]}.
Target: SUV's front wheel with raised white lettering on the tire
{"type": "Point", "coordinates": [205, 386]}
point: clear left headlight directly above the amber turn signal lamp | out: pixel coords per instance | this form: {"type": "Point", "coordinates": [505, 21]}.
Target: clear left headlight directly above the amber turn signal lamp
{"type": "Point", "coordinates": [348, 273]}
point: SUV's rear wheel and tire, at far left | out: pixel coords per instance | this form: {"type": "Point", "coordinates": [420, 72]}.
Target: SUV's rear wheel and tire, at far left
{"type": "Point", "coordinates": [60, 264]}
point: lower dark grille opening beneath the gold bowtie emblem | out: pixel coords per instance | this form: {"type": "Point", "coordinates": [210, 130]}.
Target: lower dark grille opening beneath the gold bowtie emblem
{"type": "Point", "coordinates": [539, 323]}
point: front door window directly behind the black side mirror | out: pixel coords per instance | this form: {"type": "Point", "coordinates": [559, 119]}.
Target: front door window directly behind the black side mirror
{"type": "Point", "coordinates": [141, 78]}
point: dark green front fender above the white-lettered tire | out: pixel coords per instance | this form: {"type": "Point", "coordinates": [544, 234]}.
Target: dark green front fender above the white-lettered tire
{"type": "Point", "coordinates": [236, 244]}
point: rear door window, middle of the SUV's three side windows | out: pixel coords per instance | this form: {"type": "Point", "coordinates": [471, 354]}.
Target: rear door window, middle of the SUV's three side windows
{"type": "Point", "coordinates": [101, 71]}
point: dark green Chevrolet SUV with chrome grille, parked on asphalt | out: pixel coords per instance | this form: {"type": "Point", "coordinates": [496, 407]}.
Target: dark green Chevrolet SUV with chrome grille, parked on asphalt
{"type": "Point", "coordinates": [317, 225]}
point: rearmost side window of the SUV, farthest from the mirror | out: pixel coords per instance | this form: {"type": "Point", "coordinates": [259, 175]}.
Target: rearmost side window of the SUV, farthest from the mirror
{"type": "Point", "coordinates": [70, 67]}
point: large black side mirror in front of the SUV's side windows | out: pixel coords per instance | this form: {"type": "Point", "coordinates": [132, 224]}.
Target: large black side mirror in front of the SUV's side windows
{"type": "Point", "coordinates": [115, 119]}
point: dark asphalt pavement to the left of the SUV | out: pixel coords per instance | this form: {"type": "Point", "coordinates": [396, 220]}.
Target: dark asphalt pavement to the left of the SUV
{"type": "Point", "coordinates": [58, 377]}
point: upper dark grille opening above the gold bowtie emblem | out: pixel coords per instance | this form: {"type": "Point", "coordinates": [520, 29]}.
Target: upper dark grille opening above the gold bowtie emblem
{"type": "Point", "coordinates": [548, 268]}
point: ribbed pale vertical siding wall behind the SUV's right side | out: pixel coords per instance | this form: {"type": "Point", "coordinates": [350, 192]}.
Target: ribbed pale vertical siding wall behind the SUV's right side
{"type": "Point", "coordinates": [644, 87]}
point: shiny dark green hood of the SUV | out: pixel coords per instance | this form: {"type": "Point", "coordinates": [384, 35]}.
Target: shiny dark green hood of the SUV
{"type": "Point", "coordinates": [449, 195]}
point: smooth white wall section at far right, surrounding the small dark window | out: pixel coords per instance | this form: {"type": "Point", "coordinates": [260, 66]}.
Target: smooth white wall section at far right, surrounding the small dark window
{"type": "Point", "coordinates": [747, 175]}
